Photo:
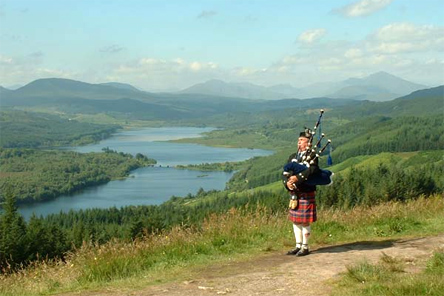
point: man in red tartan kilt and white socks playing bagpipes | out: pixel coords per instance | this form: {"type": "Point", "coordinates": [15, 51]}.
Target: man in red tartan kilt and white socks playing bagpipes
{"type": "Point", "coordinates": [301, 176]}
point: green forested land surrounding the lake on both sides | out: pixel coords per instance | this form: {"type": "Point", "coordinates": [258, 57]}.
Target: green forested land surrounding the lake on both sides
{"type": "Point", "coordinates": [377, 157]}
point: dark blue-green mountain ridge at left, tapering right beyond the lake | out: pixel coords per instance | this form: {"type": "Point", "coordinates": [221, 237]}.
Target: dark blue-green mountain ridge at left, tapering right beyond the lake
{"type": "Point", "coordinates": [74, 97]}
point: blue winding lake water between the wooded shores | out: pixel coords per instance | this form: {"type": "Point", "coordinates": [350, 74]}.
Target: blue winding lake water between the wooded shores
{"type": "Point", "coordinates": [150, 185]}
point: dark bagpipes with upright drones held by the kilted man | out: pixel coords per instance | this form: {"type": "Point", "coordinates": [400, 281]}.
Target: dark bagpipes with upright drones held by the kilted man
{"type": "Point", "coordinates": [306, 170]}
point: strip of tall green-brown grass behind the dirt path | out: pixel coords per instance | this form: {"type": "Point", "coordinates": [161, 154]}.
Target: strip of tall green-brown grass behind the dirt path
{"type": "Point", "coordinates": [235, 235]}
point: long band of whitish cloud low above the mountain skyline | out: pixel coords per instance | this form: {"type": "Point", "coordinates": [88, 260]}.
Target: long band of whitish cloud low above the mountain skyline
{"type": "Point", "coordinates": [411, 51]}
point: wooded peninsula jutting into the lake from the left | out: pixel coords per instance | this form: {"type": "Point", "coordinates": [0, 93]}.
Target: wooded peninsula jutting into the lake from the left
{"type": "Point", "coordinates": [38, 175]}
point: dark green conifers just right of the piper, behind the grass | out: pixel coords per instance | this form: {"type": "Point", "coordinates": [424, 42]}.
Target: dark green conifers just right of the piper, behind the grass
{"type": "Point", "coordinates": [386, 182]}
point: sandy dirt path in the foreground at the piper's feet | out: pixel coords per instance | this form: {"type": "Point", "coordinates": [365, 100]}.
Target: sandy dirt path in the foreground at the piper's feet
{"type": "Point", "coordinates": [278, 274]}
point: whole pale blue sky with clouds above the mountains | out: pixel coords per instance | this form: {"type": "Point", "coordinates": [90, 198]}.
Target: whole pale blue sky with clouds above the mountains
{"type": "Point", "coordinates": [169, 45]}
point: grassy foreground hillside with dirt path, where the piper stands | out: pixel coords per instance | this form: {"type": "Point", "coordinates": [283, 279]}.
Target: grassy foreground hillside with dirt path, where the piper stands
{"type": "Point", "coordinates": [241, 251]}
